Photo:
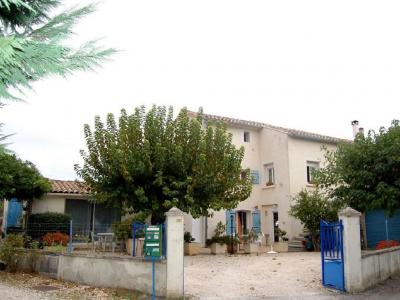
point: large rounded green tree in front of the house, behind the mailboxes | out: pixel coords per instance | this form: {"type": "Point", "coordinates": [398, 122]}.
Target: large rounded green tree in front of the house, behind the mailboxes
{"type": "Point", "coordinates": [152, 162]}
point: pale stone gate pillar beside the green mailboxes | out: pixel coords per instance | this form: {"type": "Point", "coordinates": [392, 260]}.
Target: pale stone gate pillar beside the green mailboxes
{"type": "Point", "coordinates": [175, 254]}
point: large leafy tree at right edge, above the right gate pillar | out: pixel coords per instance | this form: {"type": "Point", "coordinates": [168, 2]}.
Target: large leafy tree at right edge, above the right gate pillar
{"type": "Point", "coordinates": [365, 174]}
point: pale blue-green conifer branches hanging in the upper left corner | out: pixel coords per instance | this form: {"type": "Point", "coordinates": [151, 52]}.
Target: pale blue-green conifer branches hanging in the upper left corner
{"type": "Point", "coordinates": [33, 43]}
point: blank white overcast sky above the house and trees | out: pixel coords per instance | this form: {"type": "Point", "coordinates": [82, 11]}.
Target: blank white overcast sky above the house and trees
{"type": "Point", "coordinates": [309, 65]}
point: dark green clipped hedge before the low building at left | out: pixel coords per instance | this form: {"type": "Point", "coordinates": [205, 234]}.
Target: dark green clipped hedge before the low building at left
{"type": "Point", "coordinates": [39, 224]}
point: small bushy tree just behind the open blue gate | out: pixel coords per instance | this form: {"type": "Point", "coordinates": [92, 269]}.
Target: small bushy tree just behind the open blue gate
{"type": "Point", "coordinates": [310, 208]}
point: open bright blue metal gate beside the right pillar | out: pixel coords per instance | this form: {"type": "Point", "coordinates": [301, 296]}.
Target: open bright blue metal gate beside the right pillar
{"type": "Point", "coordinates": [331, 238]}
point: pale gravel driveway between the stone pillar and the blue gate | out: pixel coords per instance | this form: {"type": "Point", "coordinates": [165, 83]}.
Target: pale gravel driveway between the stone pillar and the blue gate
{"type": "Point", "coordinates": [244, 277]}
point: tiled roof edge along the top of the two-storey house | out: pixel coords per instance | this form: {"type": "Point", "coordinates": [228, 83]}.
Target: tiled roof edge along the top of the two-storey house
{"type": "Point", "coordinates": [291, 132]}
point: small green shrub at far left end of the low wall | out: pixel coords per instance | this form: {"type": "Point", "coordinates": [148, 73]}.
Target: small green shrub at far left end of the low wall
{"type": "Point", "coordinates": [8, 252]}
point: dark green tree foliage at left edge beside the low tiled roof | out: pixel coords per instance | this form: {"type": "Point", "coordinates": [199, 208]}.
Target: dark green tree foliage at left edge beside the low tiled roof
{"type": "Point", "coordinates": [20, 179]}
